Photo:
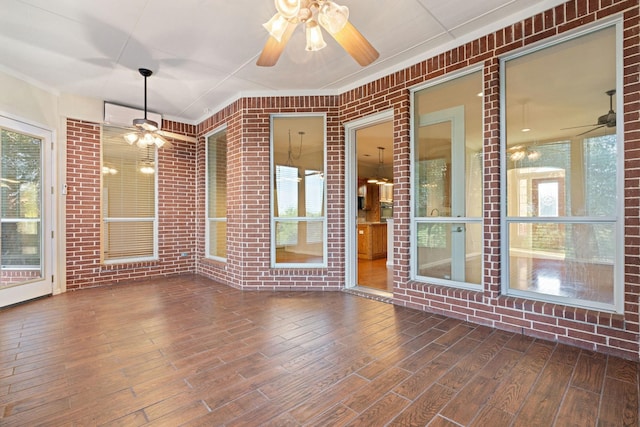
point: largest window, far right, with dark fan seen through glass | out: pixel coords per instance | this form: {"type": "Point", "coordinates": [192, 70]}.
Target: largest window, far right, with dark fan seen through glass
{"type": "Point", "coordinates": [562, 226]}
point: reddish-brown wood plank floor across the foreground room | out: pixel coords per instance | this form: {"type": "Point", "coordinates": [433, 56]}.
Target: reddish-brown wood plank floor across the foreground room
{"type": "Point", "coordinates": [188, 351]}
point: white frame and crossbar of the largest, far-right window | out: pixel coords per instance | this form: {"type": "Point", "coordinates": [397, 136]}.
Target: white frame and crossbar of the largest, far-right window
{"type": "Point", "coordinates": [618, 268]}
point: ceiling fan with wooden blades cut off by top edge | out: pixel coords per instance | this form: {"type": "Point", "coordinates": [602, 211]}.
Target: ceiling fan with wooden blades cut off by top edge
{"type": "Point", "coordinates": [314, 14]}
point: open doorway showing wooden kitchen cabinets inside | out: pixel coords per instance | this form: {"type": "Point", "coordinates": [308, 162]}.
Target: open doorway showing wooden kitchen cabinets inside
{"type": "Point", "coordinates": [369, 203]}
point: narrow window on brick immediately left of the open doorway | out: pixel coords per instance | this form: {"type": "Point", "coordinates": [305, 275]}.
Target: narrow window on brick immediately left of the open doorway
{"type": "Point", "coordinates": [298, 191]}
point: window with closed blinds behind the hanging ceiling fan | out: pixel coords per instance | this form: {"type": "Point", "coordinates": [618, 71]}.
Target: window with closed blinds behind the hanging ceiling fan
{"type": "Point", "coordinates": [129, 213]}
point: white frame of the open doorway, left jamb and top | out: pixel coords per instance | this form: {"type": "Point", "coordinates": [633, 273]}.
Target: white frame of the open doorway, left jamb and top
{"type": "Point", "coordinates": [351, 192]}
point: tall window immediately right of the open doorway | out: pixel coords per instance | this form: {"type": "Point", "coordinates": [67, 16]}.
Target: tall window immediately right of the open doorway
{"type": "Point", "coordinates": [447, 187]}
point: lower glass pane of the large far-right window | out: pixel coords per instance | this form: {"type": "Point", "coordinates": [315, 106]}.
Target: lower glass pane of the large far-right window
{"type": "Point", "coordinates": [566, 260]}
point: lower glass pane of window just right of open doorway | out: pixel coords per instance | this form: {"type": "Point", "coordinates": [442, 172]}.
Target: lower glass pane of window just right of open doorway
{"type": "Point", "coordinates": [439, 257]}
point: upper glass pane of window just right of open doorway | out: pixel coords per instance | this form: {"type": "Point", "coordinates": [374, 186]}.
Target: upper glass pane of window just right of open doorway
{"type": "Point", "coordinates": [448, 148]}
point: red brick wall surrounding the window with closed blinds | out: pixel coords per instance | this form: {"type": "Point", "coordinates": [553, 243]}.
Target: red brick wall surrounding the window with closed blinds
{"type": "Point", "coordinates": [177, 210]}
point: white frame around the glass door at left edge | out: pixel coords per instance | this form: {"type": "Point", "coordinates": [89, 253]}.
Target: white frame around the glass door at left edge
{"type": "Point", "coordinates": [44, 286]}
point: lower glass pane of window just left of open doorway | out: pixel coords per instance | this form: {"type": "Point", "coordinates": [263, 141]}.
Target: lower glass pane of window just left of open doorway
{"type": "Point", "coordinates": [299, 242]}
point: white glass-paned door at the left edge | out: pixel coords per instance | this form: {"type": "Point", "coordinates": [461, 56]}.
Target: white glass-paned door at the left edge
{"type": "Point", "coordinates": [25, 207]}
